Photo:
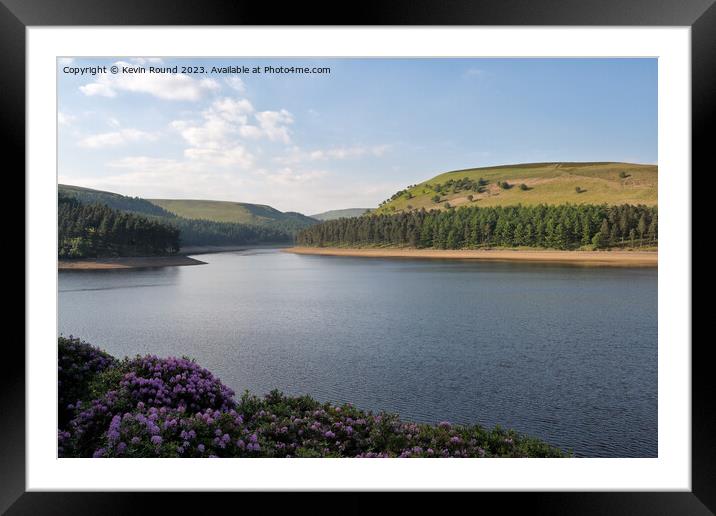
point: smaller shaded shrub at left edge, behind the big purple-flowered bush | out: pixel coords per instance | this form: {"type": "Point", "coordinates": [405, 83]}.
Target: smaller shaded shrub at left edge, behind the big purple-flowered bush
{"type": "Point", "coordinates": [77, 365]}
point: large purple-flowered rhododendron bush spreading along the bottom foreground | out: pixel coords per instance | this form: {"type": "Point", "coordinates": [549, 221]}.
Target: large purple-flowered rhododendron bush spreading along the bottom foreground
{"type": "Point", "coordinates": [151, 407]}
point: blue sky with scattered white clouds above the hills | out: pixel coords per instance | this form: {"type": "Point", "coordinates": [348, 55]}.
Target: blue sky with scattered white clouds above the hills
{"type": "Point", "coordinates": [311, 142]}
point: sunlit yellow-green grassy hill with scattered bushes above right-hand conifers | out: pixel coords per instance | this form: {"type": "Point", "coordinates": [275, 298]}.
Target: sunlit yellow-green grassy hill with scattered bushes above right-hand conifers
{"type": "Point", "coordinates": [548, 183]}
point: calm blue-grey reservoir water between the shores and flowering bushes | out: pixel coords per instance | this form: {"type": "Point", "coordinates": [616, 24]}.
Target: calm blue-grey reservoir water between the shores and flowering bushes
{"type": "Point", "coordinates": [567, 354]}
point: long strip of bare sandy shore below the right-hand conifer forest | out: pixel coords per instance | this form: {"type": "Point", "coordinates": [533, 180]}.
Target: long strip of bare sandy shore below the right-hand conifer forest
{"type": "Point", "coordinates": [589, 258]}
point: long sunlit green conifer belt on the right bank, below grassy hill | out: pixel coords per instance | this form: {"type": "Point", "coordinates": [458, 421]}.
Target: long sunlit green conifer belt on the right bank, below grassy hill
{"type": "Point", "coordinates": [565, 226]}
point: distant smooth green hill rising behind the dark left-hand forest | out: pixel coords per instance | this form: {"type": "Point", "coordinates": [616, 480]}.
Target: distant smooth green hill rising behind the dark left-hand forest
{"type": "Point", "coordinates": [236, 212]}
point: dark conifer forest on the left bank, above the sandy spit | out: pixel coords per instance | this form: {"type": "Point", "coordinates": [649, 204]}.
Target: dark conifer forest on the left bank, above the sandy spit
{"type": "Point", "coordinates": [96, 230]}
